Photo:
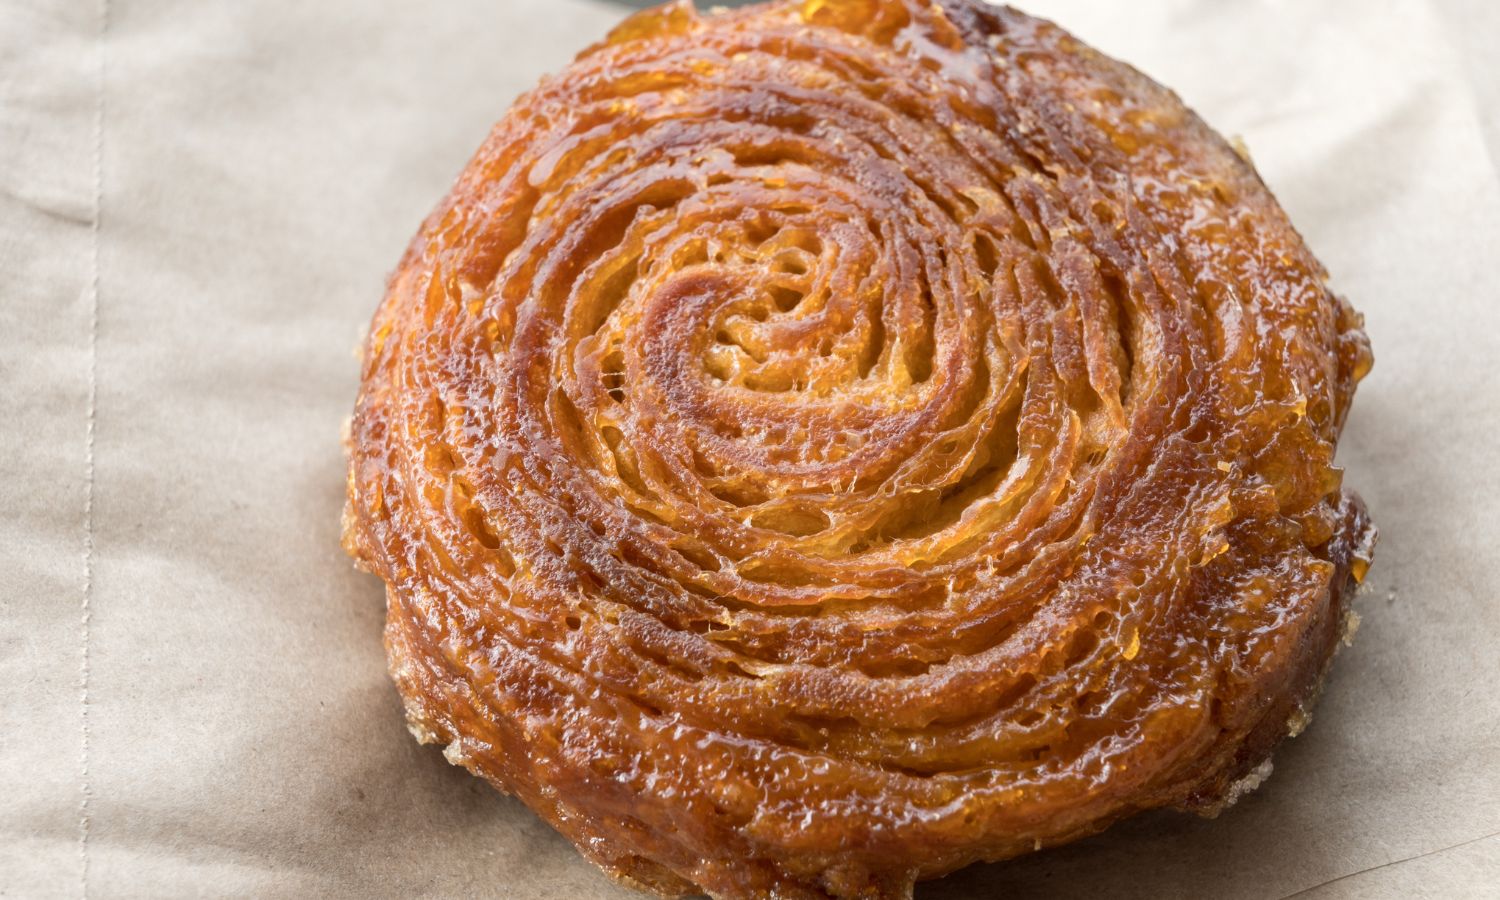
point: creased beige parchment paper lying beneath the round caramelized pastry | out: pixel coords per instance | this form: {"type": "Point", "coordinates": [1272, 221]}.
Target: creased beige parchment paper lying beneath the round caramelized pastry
{"type": "Point", "coordinates": [224, 185]}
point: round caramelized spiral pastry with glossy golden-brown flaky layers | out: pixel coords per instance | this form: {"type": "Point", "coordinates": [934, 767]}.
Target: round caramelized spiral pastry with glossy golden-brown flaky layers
{"type": "Point", "coordinates": [826, 445]}
